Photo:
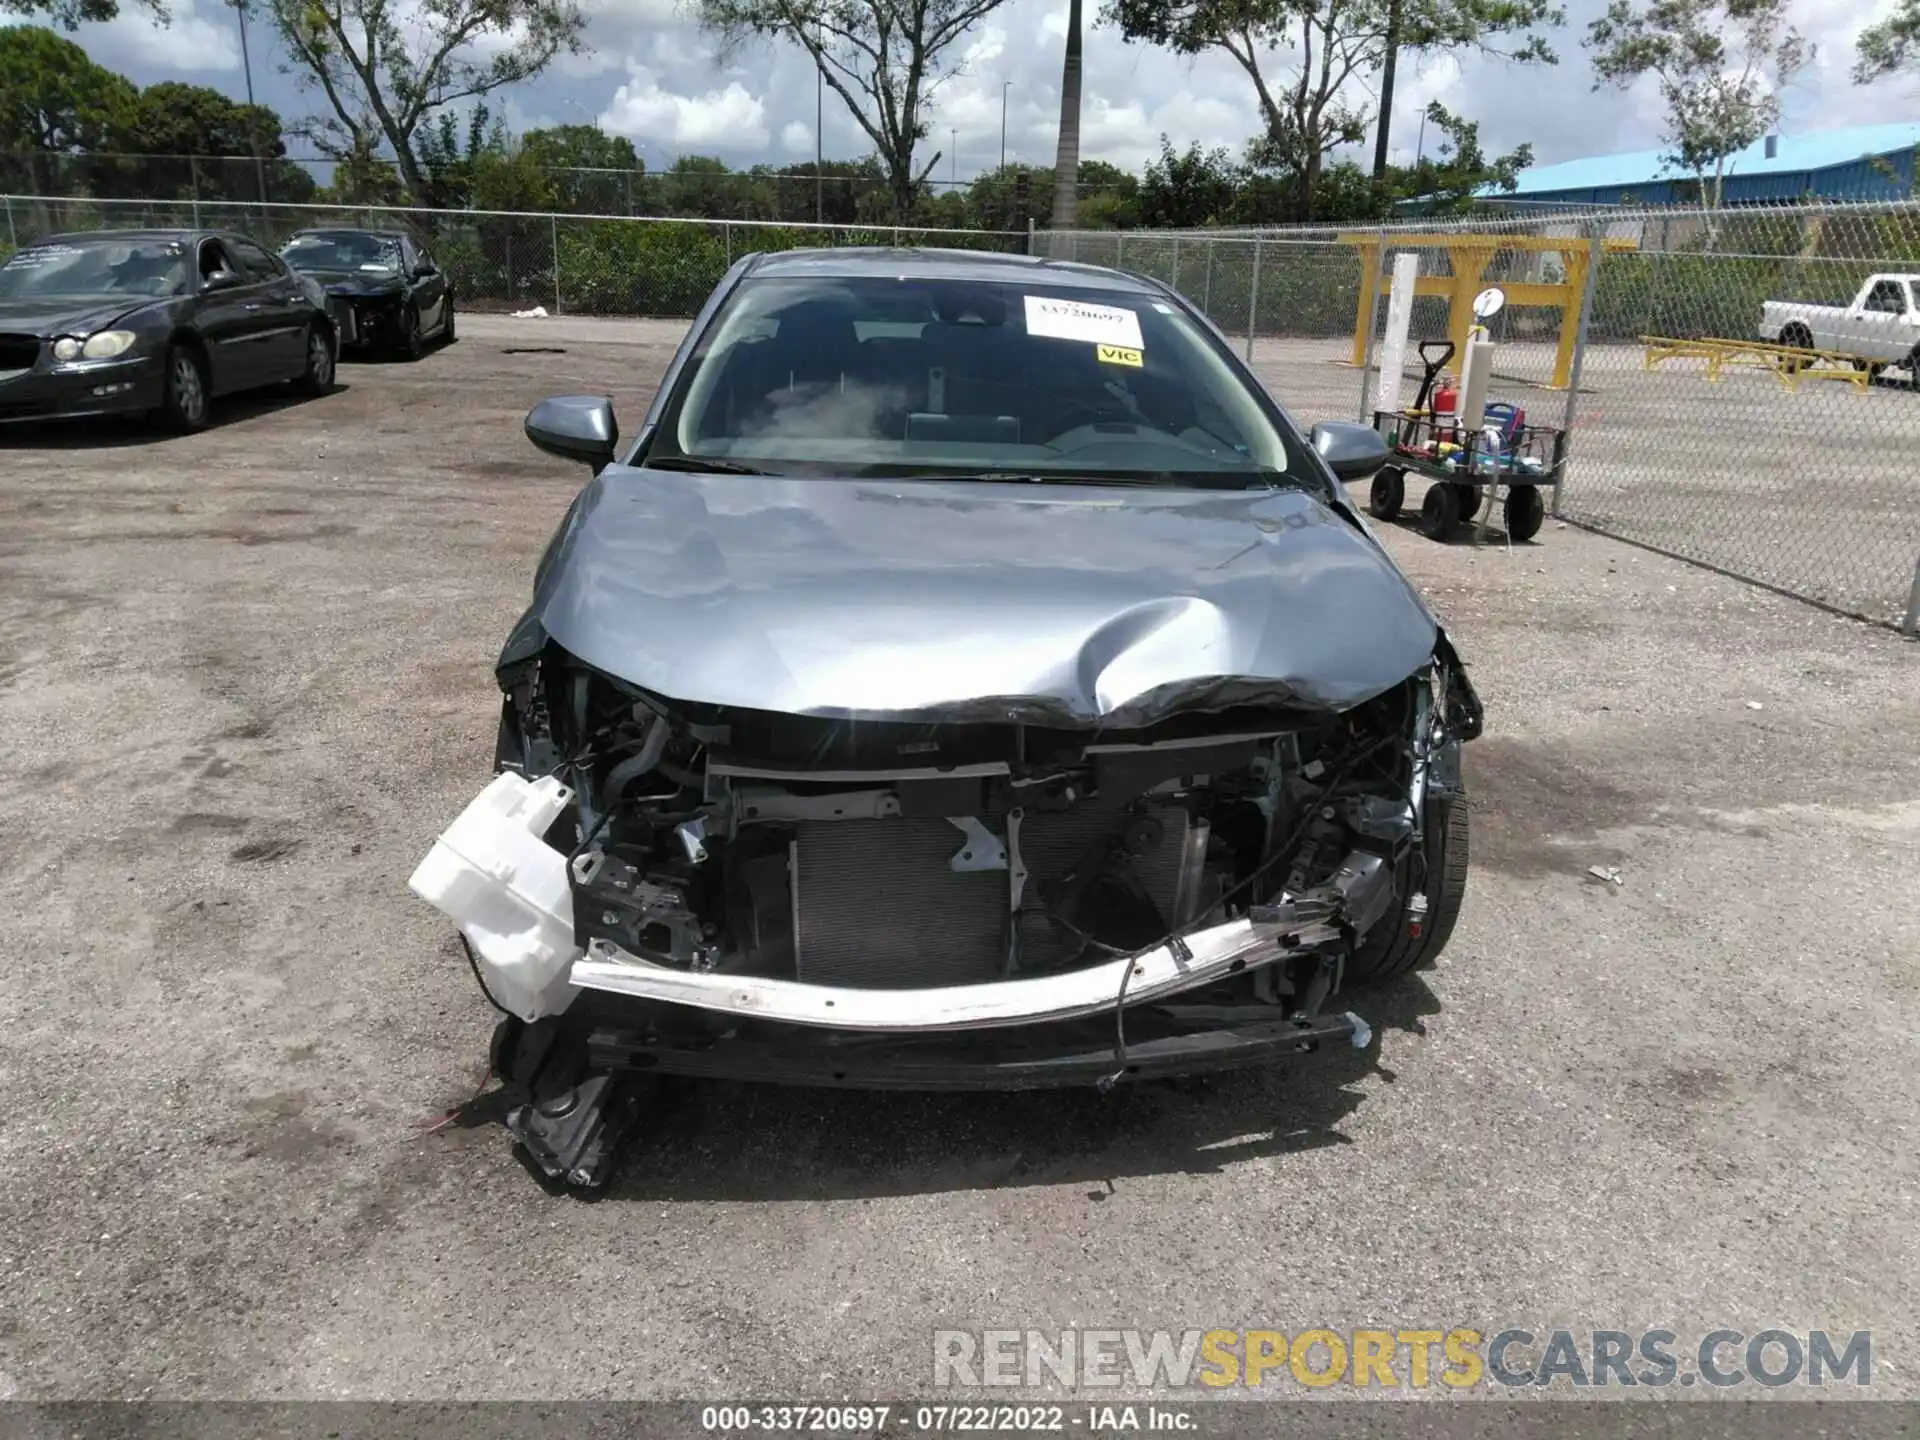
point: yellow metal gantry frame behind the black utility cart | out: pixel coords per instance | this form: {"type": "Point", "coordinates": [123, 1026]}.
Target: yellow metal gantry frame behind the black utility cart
{"type": "Point", "coordinates": [1470, 258]}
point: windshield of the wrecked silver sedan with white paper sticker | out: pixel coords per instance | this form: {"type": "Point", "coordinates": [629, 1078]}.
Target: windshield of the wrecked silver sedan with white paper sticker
{"type": "Point", "coordinates": [900, 375]}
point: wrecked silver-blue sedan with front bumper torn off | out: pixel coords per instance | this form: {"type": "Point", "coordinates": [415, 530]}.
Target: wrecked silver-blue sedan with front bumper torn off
{"type": "Point", "coordinates": [967, 679]}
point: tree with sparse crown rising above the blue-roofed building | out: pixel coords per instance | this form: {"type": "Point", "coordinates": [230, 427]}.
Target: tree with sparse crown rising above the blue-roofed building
{"type": "Point", "coordinates": [1719, 66]}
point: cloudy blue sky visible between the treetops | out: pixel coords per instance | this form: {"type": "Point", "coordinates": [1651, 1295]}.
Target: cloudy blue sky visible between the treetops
{"type": "Point", "coordinates": [652, 76]}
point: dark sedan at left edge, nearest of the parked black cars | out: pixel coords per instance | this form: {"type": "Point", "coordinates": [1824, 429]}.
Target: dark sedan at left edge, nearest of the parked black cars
{"type": "Point", "coordinates": [155, 322]}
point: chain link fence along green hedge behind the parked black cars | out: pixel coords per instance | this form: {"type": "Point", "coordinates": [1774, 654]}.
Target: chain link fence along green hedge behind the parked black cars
{"type": "Point", "coordinates": [565, 264]}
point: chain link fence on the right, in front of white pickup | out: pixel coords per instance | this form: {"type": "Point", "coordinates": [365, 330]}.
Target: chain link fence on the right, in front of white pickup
{"type": "Point", "coordinates": [1742, 395]}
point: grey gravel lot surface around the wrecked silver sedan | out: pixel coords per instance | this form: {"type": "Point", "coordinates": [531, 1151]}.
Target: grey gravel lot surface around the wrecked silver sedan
{"type": "Point", "coordinates": [245, 679]}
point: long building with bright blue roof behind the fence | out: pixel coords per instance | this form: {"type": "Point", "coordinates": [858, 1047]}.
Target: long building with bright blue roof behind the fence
{"type": "Point", "coordinates": [1863, 162]}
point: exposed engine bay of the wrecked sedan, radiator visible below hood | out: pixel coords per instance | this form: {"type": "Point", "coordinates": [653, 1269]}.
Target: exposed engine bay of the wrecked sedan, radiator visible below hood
{"type": "Point", "coordinates": [911, 857]}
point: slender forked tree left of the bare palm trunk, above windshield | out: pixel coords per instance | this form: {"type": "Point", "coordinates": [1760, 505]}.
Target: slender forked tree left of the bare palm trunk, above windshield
{"type": "Point", "coordinates": [884, 59]}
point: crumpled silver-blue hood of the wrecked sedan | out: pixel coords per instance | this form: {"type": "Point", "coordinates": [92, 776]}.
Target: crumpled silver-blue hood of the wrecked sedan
{"type": "Point", "coordinates": [976, 602]}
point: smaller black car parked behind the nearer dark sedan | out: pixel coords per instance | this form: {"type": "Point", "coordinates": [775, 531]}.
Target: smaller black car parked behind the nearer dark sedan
{"type": "Point", "coordinates": [387, 293]}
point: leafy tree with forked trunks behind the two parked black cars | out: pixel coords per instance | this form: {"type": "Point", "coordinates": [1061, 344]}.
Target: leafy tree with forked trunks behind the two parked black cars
{"type": "Point", "coordinates": [389, 70]}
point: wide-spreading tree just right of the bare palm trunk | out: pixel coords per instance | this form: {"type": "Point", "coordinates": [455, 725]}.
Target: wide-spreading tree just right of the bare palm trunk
{"type": "Point", "coordinates": [1332, 47]}
